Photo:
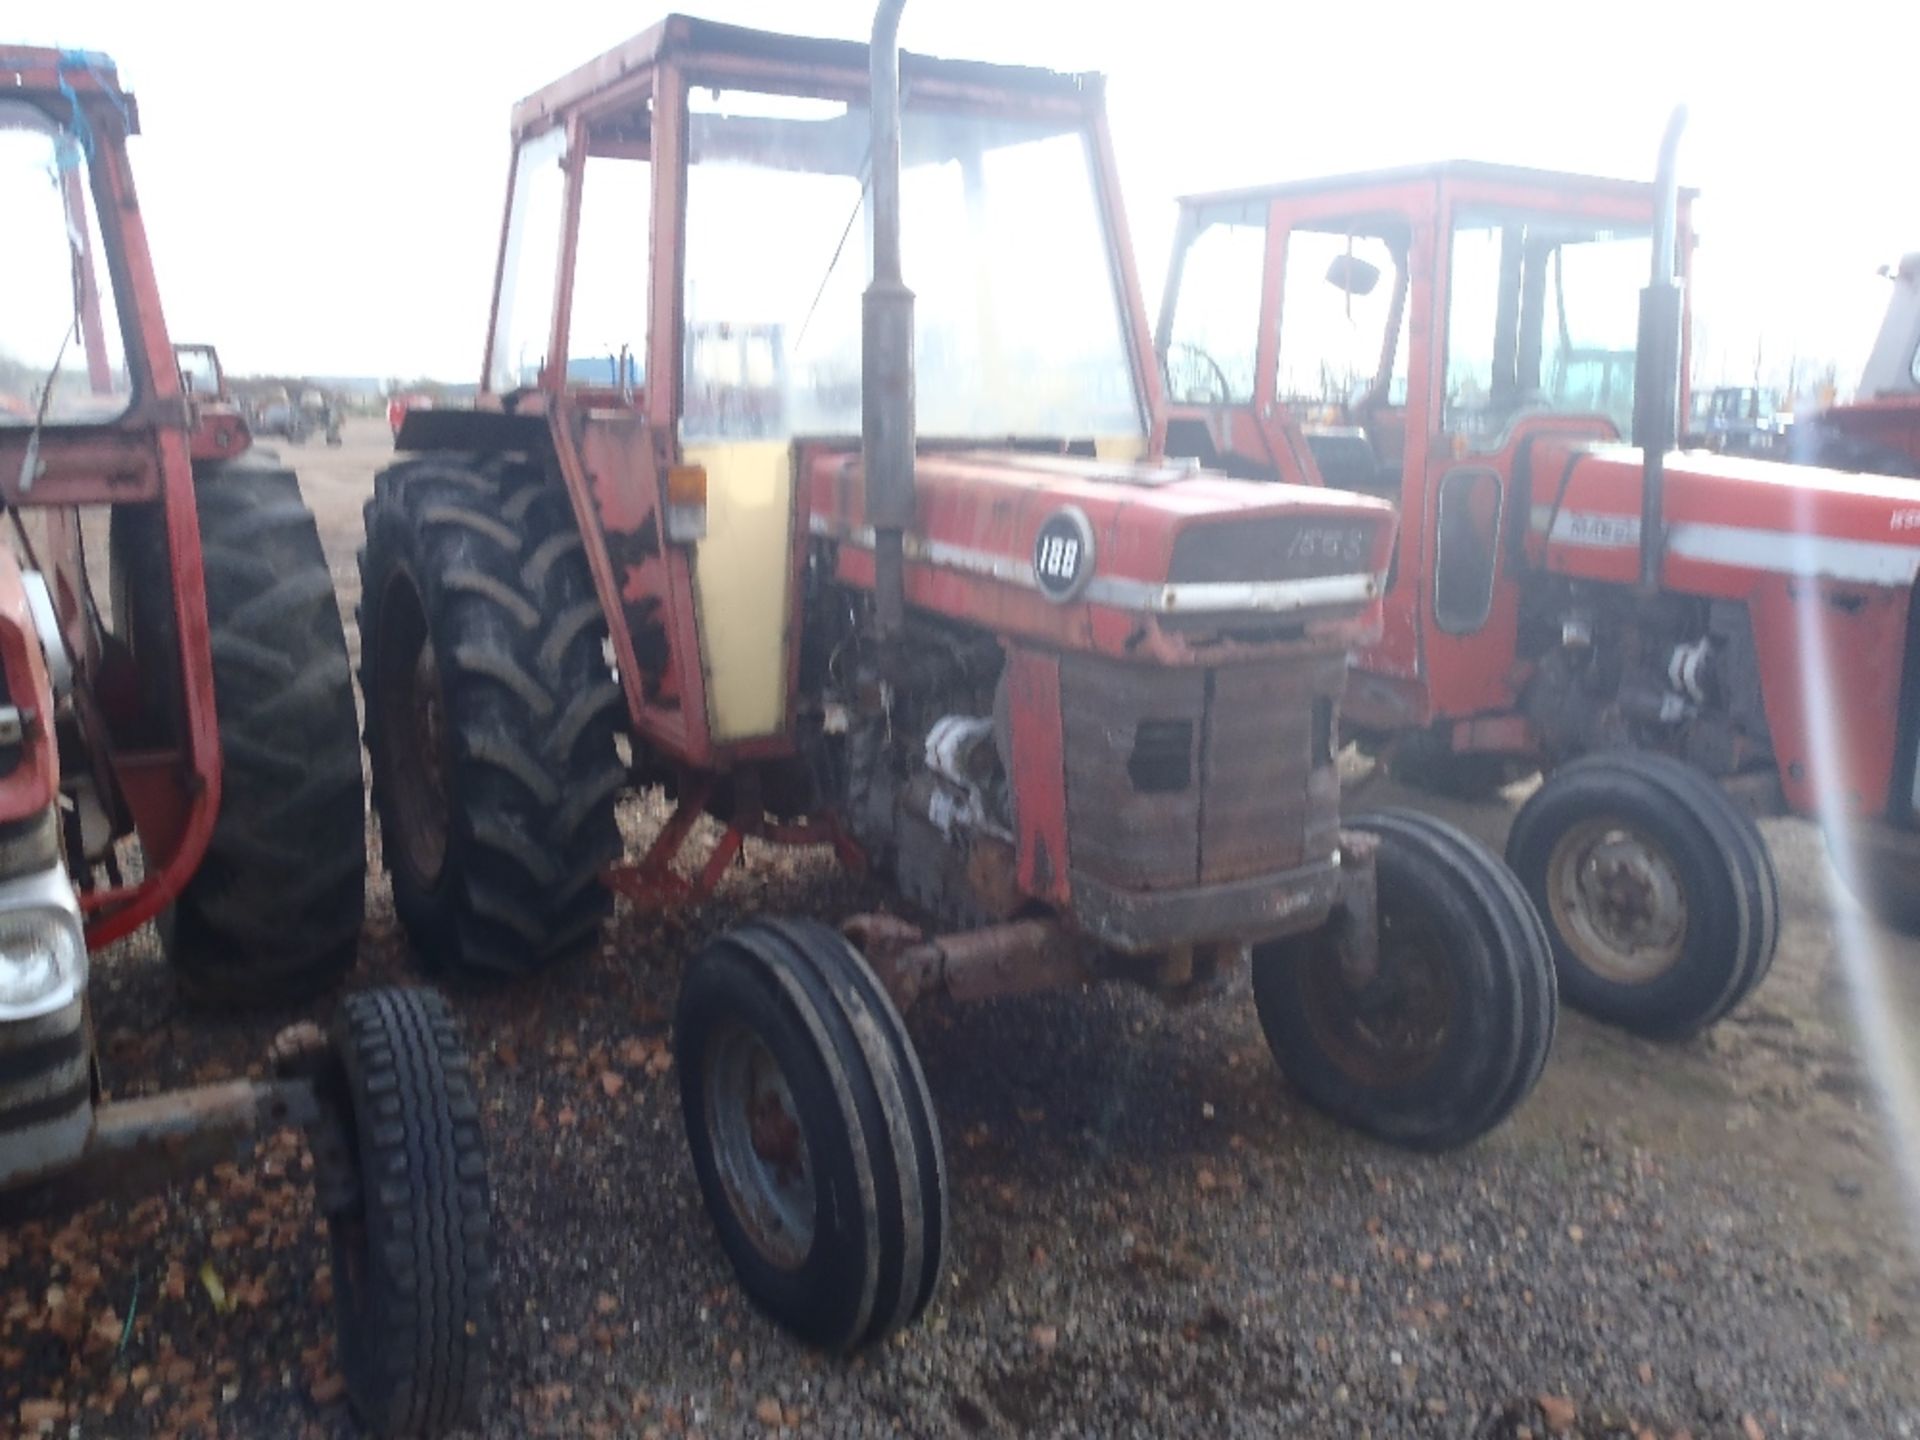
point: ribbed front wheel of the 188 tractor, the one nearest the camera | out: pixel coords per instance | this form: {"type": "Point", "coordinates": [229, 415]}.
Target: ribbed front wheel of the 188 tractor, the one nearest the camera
{"type": "Point", "coordinates": [813, 1134]}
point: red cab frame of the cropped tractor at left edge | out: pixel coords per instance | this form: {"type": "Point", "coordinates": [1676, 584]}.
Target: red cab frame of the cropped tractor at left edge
{"type": "Point", "coordinates": [143, 456]}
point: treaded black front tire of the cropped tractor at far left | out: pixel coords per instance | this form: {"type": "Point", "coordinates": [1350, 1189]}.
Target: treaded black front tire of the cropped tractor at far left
{"type": "Point", "coordinates": [414, 1253]}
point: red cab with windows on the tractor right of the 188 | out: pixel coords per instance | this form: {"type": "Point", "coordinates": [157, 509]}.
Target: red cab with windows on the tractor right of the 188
{"type": "Point", "coordinates": [1412, 335]}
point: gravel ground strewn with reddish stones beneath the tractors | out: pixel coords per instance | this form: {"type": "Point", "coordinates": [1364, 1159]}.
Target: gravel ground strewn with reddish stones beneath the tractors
{"type": "Point", "coordinates": [1151, 1234]}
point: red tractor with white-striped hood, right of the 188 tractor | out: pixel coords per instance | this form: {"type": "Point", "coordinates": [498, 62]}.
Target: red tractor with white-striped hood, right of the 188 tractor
{"type": "Point", "coordinates": [1468, 341]}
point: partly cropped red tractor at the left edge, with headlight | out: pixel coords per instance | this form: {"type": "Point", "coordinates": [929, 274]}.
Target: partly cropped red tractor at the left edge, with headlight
{"type": "Point", "coordinates": [180, 744]}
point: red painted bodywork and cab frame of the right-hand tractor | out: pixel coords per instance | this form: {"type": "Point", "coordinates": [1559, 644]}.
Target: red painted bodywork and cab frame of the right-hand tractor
{"type": "Point", "coordinates": [1819, 640]}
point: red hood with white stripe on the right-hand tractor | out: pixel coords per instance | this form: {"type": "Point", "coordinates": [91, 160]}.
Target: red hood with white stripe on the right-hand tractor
{"type": "Point", "coordinates": [1729, 521]}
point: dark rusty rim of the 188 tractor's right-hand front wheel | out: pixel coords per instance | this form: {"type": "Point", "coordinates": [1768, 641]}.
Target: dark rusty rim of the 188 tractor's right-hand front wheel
{"type": "Point", "coordinates": [1389, 1028]}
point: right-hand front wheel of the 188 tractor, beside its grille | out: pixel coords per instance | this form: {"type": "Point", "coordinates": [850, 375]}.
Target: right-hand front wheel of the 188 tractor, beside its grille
{"type": "Point", "coordinates": [1454, 1028]}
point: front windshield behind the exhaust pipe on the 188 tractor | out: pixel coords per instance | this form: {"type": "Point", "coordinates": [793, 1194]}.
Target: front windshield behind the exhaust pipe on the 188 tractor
{"type": "Point", "coordinates": [1019, 320]}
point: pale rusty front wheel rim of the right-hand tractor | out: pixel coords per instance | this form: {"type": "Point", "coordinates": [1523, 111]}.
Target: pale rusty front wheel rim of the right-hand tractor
{"type": "Point", "coordinates": [1618, 901]}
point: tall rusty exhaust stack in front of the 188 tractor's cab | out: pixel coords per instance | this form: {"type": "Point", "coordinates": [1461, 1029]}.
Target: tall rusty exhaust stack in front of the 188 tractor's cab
{"type": "Point", "coordinates": [888, 343]}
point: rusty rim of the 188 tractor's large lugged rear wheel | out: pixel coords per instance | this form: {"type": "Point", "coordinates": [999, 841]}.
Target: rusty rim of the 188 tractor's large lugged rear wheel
{"type": "Point", "coordinates": [412, 721]}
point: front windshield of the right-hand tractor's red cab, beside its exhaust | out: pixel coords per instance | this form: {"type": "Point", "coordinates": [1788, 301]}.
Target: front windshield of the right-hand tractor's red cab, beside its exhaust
{"type": "Point", "coordinates": [1543, 320]}
